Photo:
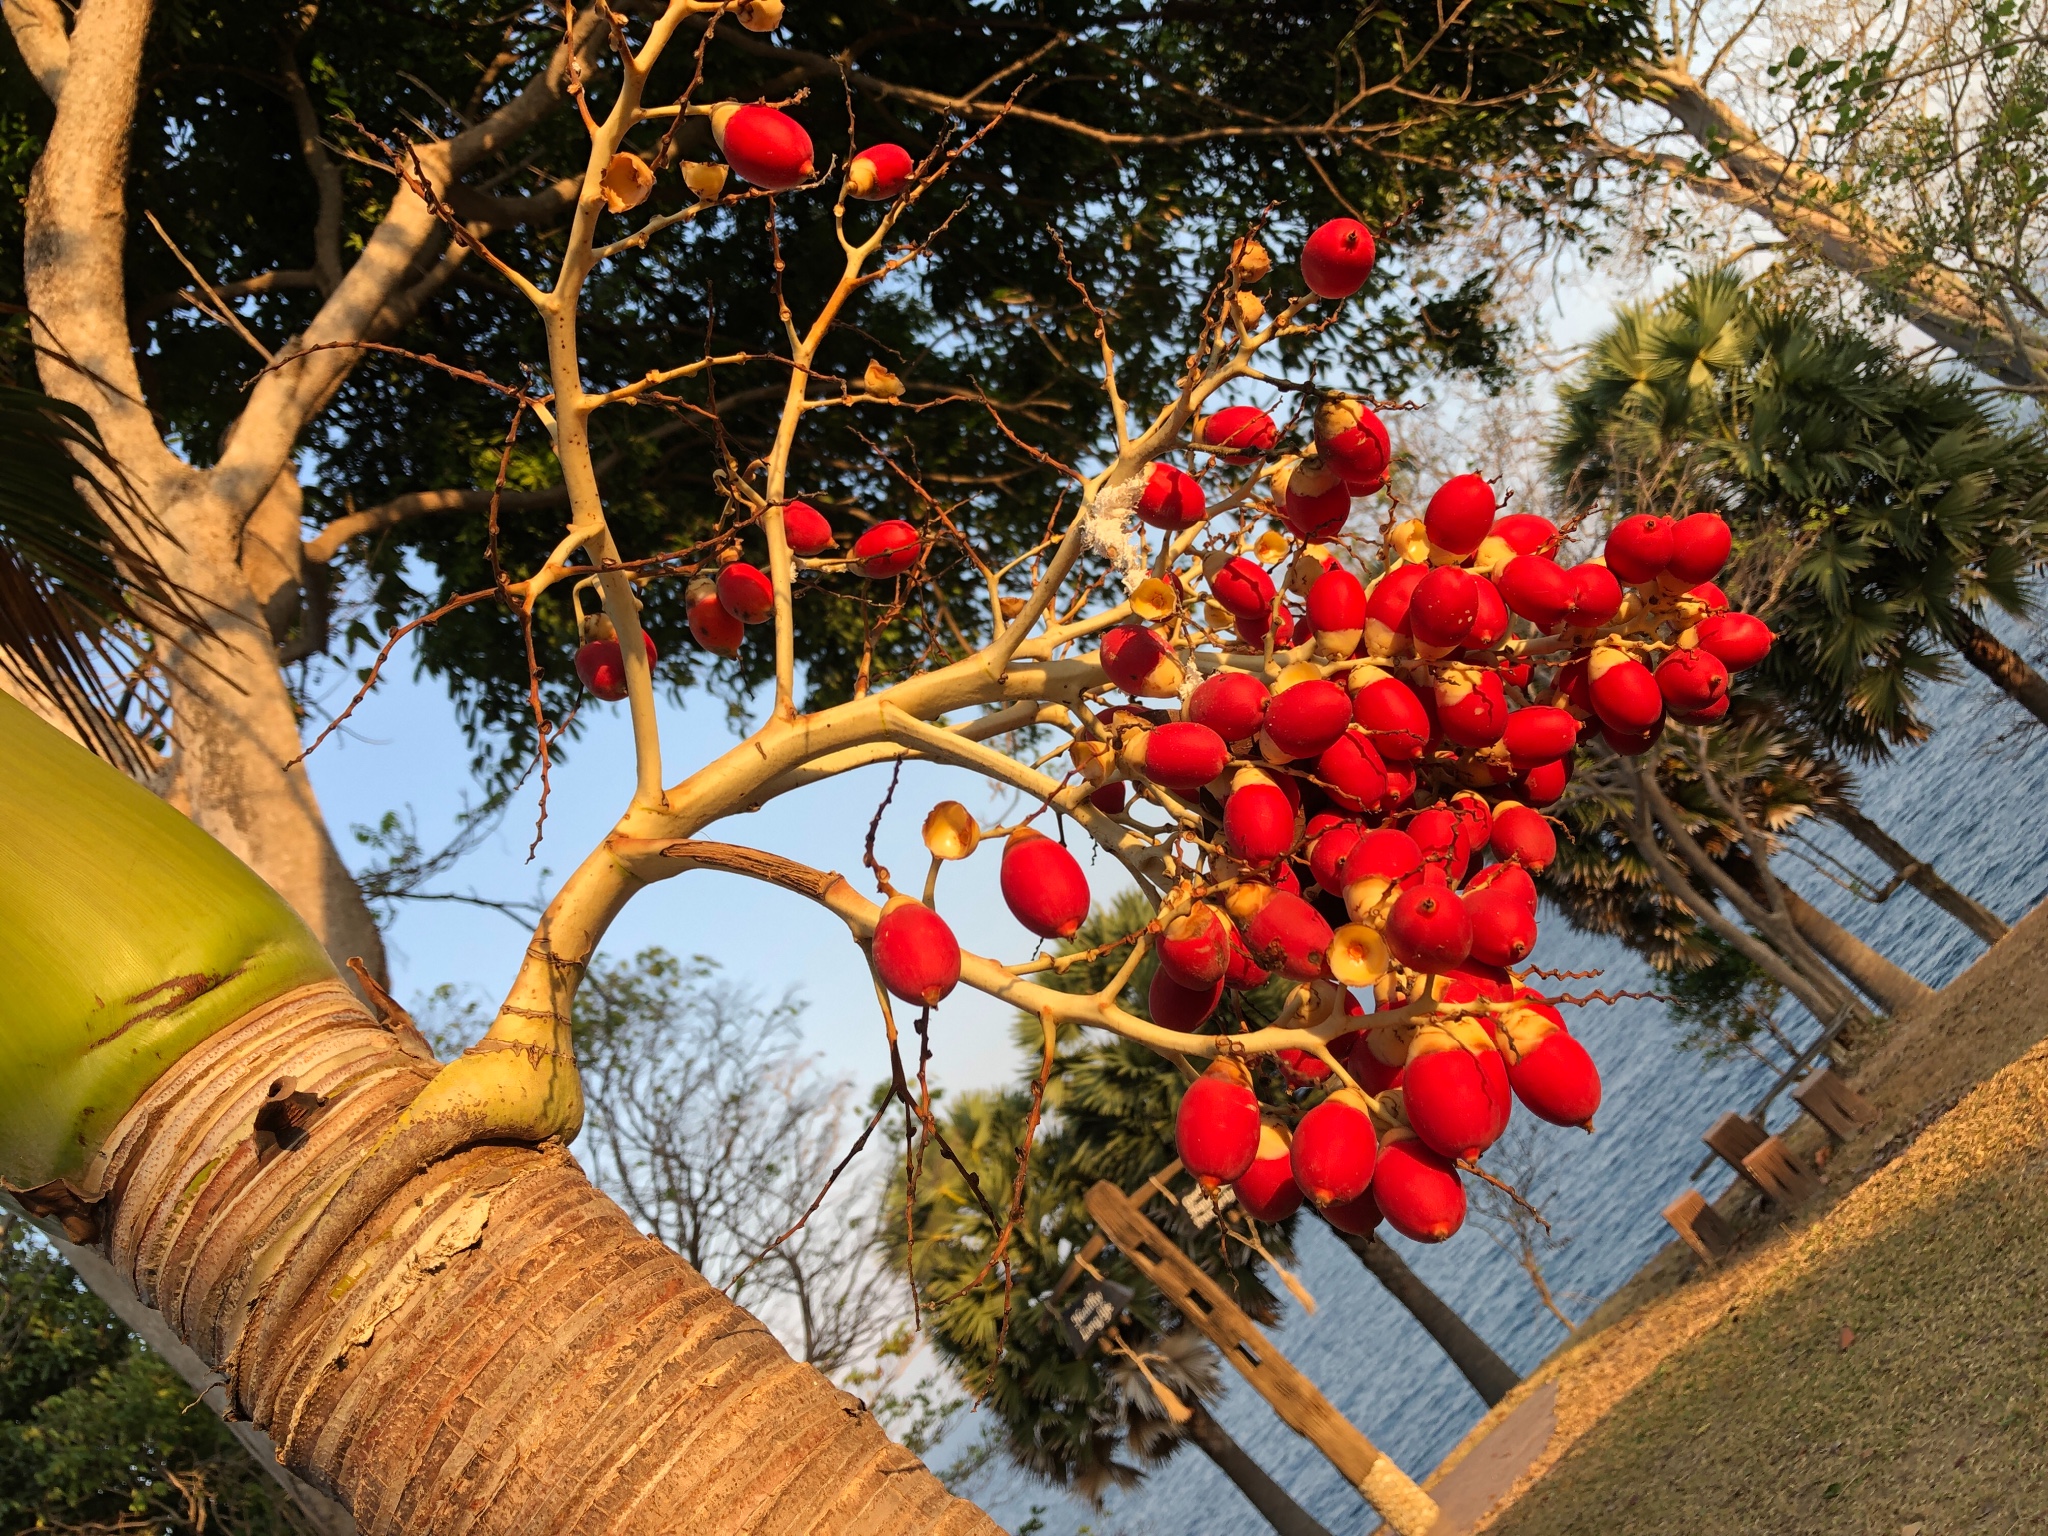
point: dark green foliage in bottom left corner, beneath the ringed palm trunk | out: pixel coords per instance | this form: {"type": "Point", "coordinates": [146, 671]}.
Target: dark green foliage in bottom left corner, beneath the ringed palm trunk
{"type": "Point", "coordinates": [95, 1435]}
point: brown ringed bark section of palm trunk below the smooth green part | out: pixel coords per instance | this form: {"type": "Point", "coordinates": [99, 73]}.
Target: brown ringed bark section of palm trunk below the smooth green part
{"type": "Point", "coordinates": [493, 1349]}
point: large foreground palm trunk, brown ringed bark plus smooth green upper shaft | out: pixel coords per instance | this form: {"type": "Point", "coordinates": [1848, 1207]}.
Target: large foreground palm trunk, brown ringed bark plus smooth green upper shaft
{"type": "Point", "coordinates": [484, 1342]}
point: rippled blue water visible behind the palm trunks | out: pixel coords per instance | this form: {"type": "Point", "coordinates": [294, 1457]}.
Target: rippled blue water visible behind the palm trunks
{"type": "Point", "coordinates": [1969, 802]}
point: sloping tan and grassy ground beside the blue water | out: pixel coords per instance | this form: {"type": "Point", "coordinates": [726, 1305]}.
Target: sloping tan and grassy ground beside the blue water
{"type": "Point", "coordinates": [1873, 1367]}
